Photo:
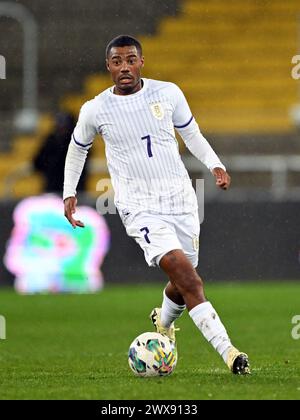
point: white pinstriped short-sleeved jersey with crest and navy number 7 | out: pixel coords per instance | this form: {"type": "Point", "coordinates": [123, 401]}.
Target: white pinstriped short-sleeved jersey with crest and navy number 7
{"type": "Point", "coordinates": [142, 153]}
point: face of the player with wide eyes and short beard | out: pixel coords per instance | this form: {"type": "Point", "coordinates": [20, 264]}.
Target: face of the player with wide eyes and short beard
{"type": "Point", "coordinates": [124, 65]}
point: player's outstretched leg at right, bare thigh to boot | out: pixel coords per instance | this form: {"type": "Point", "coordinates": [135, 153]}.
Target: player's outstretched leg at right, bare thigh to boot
{"type": "Point", "coordinates": [189, 285]}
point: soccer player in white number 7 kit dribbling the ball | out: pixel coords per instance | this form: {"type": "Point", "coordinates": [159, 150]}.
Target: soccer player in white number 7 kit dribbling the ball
{"type": "Point", "coordinates": [153, 193]}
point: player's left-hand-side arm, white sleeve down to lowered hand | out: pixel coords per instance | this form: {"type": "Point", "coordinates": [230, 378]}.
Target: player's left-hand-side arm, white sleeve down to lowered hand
{"type": "Point", "coordinates": [81, 142]}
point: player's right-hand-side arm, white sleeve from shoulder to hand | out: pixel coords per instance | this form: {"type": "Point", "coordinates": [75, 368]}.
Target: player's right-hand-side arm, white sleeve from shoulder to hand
{"type": "Point", "coordinates": [189, 130]}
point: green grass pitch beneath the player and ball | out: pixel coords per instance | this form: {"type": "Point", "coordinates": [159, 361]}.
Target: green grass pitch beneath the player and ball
{"type": "Point", "coordinates": [75, 346]}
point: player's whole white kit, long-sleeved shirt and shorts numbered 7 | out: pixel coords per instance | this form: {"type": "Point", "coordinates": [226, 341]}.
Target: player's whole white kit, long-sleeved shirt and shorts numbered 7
{"type": "Point", "coordinates": [153, 192]}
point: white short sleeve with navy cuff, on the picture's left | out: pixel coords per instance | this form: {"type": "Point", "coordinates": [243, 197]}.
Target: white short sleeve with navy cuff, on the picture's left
{"type": "Point", "coordinates": [85, 130]}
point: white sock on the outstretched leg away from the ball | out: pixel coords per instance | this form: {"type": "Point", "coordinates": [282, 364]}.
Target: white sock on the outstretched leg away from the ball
{"type": "Point", "coordinates": [209, 323]}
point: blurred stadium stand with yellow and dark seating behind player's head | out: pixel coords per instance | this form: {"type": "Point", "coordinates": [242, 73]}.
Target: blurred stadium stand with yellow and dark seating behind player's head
{"type": "Point", "coordinates": [233, 61]}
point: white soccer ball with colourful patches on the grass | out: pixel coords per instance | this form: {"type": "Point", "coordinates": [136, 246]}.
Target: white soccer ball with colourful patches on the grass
{"type": "Point", "coordinates": [152, 354]}
